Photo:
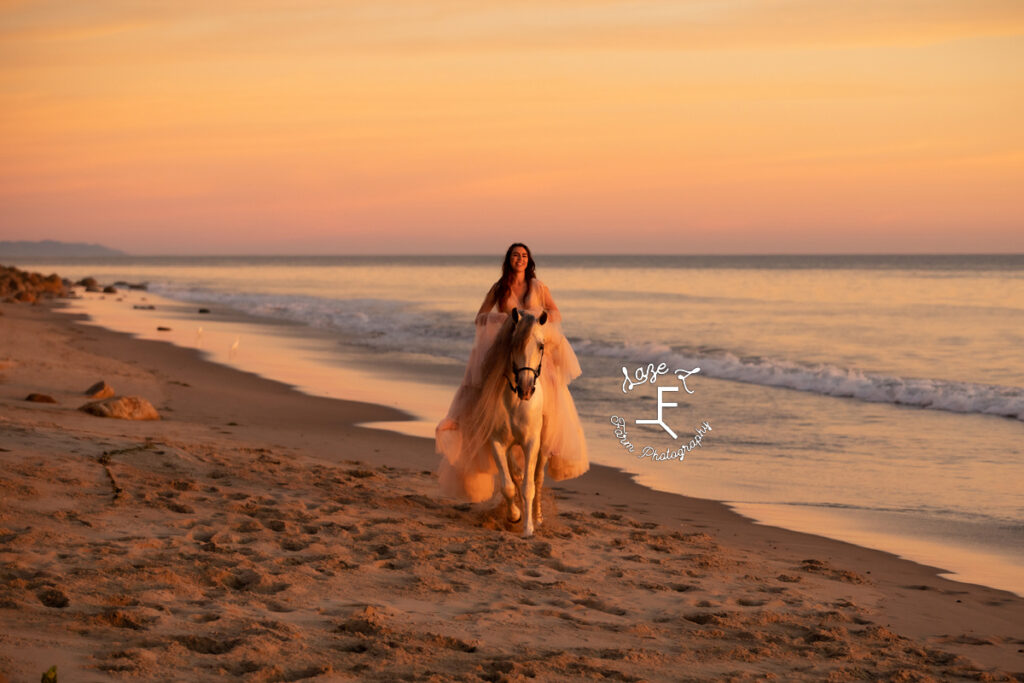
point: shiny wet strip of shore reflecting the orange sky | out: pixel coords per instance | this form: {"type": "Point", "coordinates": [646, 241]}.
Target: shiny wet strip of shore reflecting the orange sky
{"type": "Point", "coordinates": [316, 367]}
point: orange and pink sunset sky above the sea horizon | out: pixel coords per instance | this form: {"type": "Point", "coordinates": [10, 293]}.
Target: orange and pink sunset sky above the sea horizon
{"type": "Point", "coordinates": [578, 126]}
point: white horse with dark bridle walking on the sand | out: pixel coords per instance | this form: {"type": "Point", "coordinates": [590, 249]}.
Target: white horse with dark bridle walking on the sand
{"type": "Point", "coordinates": [524, 421]}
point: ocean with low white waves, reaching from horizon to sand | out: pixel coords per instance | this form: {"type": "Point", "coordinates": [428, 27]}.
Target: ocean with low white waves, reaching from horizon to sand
{"type": "Point", "coordinates": [876, 400]}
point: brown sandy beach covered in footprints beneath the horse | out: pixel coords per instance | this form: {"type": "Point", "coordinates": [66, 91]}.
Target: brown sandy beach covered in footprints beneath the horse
{"type": "Point", "coordinates": [260, 534]}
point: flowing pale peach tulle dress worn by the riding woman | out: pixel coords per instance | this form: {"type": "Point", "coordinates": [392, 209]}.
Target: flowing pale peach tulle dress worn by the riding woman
{"type": "Point", "coordinates": [467, 468]}
